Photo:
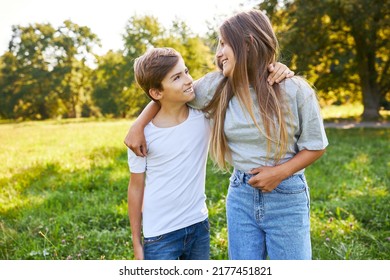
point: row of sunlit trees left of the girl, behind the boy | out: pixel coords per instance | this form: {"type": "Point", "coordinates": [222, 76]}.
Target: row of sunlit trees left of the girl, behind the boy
{"type": "Point", "coordinates": [53, 72]}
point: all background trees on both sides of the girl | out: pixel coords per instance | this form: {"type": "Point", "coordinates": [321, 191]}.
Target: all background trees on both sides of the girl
{"type": "Point", "coordinates": [342, 47]}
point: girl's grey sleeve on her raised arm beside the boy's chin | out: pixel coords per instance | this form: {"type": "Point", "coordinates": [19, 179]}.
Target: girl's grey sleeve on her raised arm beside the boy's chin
{"type": "Point", "coordinates": [205, 89]}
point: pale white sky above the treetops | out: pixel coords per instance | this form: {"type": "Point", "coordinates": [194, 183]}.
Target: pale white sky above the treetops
{"type": "Point", "coordinates": [107, 18]}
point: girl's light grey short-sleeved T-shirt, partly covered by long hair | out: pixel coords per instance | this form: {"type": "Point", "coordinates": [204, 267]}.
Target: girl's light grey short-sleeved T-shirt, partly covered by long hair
{"type": "Point", "coordinates": [247, 144]}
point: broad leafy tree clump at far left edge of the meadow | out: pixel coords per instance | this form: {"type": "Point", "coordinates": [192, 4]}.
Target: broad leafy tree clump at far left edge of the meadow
{"type": "Point", "coordinates": [45, 73]}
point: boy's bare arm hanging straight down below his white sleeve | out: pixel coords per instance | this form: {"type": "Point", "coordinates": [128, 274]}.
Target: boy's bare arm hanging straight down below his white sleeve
{"type": "Point", "coordinates": [135, 197]}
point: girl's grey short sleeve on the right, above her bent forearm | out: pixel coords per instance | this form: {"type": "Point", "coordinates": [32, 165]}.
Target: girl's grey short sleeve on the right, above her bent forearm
{"type": "Point", "coordinates": [313, 136]}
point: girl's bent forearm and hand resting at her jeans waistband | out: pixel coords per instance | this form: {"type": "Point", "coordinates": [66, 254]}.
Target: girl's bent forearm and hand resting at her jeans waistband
{"type": "Point", "coordinates": [267, 178]}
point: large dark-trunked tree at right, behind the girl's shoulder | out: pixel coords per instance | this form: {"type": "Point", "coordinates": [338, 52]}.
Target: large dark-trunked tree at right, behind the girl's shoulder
{"type": "Point", "coordinates": [341, 44]}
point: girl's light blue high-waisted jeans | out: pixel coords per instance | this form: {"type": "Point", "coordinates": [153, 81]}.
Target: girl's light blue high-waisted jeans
{"type": "Point", "coordinates": [274, 225]}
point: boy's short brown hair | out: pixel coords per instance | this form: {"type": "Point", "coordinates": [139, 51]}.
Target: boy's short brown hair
{"type": "Point", "coordinates": [152, 67]}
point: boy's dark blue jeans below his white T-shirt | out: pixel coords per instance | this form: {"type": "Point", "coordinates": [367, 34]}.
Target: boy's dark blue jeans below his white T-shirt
{"type": "Point", "coordinates": [189, 243]}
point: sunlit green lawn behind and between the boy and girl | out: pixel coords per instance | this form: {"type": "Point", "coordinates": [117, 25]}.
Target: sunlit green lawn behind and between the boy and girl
{"type": "Point", "coordinates": [63, 192]}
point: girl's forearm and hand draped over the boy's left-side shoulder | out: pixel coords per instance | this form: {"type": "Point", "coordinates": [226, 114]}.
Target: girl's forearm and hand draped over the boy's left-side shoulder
{"type": "Point", "coordinates": [135, 138]}
